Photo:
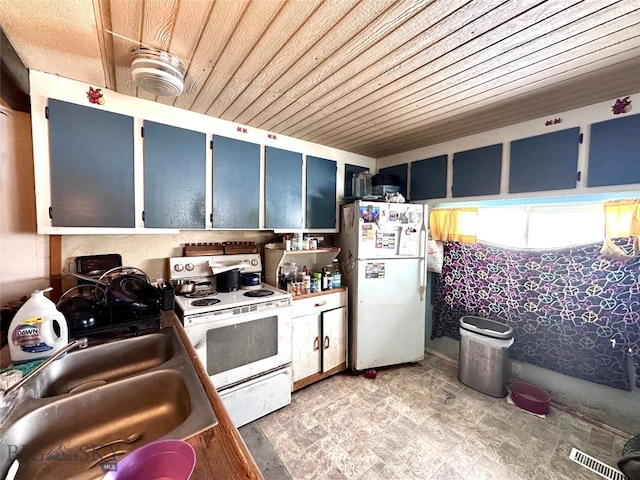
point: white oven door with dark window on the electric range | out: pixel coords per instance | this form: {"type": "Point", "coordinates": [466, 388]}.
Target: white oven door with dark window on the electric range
{"type": "Point", "coordinates": [235, 348]}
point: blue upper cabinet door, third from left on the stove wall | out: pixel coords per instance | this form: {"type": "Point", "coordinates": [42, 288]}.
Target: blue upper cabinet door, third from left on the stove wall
{"type": "Point", "coordinates": [236, 183]}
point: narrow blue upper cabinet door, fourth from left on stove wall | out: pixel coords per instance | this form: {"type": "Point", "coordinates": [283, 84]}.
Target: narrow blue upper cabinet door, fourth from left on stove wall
{"type": "Point", "coordinates": [283, 189]}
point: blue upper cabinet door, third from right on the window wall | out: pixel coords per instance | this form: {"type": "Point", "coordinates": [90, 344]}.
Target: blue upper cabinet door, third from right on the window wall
{"type": "Point", "coordinates": [477, 172]}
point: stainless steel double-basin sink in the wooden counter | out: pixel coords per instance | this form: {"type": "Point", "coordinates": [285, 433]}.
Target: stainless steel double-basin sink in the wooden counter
{"type": "Point", "coordinates": [104, 393]}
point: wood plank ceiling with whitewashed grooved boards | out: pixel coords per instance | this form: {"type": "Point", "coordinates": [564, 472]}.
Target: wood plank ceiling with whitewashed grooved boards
{"type": "Point", "coordinates": [375, 77]}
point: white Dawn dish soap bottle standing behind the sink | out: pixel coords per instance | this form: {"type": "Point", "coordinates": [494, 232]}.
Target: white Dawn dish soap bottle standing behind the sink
{"type": "Point", "coordinates": [37, 331]}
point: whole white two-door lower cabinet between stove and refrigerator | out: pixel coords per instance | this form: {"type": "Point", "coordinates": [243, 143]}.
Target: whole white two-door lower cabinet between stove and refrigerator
{"type": "Point", "coordinates": [319, 337]}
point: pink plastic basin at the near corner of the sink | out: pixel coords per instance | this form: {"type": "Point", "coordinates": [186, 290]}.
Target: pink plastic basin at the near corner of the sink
{"type": "Point", "coordinates": [161, 460]}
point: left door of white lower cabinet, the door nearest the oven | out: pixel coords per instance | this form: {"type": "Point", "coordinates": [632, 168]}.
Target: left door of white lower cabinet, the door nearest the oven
{"type": "Point", "coordinates": [307, 343]}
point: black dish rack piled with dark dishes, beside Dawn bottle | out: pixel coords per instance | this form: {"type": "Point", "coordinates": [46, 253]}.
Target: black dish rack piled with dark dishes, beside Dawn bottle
{"type": "Point", "coordinates": [111, 300]}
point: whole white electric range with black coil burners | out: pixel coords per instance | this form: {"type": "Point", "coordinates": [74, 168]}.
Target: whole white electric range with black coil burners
{"type": "Point", "coordinates": [242, 337]}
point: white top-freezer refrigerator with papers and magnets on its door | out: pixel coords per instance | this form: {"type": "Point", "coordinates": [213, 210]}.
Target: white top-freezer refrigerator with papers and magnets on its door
{"type": "Point", "coordinates": [383, 263]}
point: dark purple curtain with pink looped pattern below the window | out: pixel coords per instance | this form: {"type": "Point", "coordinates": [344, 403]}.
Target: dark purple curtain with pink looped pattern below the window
{"type": "Point", "coordinates": [572, 310]}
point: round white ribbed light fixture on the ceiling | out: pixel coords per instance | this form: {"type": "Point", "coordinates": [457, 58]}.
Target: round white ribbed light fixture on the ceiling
{"type": "Point", "coordinates": [157, 71]}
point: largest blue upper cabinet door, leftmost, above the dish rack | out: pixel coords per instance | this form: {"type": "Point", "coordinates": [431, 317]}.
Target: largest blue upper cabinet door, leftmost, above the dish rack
{"type": "Point", "coordinates": [91, 167]}
